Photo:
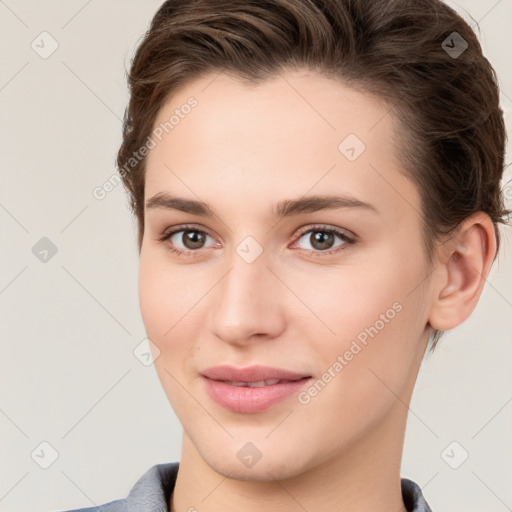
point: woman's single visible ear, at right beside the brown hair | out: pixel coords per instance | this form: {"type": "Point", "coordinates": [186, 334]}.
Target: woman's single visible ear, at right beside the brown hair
{"type": "Point", "coordinates": [464, 263]}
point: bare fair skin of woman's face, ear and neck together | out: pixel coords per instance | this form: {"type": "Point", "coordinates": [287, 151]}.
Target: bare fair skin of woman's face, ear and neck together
{"type": "Point", "coordinates": [243, 149]}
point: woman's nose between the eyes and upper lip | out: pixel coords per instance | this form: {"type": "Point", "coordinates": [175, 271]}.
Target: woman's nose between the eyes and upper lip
{"type": "Point", "coordinates": [249, 301]}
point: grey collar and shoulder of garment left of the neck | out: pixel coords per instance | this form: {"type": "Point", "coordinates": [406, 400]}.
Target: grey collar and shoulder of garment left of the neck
{"type": "Point", "coordinates": [151, 492]}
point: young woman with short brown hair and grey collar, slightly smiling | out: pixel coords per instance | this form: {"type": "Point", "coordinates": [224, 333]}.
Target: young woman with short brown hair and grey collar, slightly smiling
{"type": "Point", "coordinates": [316, 185]}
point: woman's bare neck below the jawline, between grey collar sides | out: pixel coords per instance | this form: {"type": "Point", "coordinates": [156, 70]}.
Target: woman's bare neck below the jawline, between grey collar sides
{"type": "Point", "coordinates": [365, 476]}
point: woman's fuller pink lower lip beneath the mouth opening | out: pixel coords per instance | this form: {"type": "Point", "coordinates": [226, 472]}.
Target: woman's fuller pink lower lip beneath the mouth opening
{"type": "Point", "coordinates": [250, 400]}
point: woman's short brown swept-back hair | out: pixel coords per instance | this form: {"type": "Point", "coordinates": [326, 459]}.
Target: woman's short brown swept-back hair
{"type": "Point", "coordinates": [398, 50]}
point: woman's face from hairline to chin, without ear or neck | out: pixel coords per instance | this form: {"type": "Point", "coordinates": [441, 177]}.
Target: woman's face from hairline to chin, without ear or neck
{"type": "Point", "coordinates": [337, 292]}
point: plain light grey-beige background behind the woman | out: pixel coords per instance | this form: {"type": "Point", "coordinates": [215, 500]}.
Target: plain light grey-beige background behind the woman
{"type": "Point", "coordinates": [70, 325]}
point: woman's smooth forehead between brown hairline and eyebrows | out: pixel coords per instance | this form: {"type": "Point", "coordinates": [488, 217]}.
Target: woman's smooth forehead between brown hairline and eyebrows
{"type": "Point", "coordinates": [299, 132]}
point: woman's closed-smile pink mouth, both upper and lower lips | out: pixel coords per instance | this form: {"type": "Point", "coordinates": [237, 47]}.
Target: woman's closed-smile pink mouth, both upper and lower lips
{"type": "Point", "coordinates": [249, 400]}
